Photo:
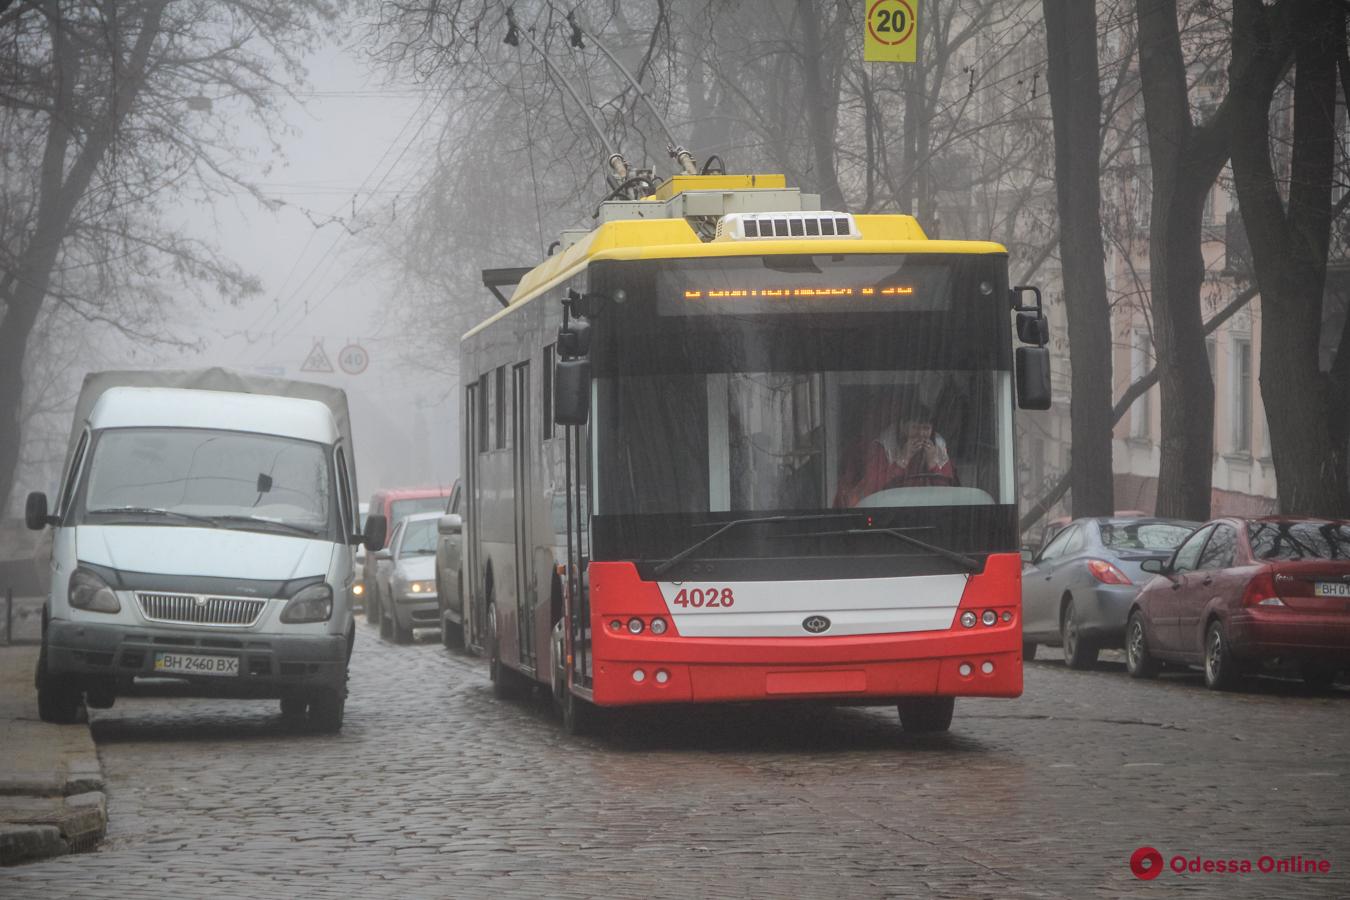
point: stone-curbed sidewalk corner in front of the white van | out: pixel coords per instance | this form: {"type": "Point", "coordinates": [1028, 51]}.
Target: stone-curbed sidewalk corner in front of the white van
{"type": "Point", "coordinates": [52, 798]}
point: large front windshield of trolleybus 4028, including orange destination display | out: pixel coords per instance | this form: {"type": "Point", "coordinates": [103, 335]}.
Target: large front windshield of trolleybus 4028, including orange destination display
{"type": "Point", "coordinates": [759, 387]}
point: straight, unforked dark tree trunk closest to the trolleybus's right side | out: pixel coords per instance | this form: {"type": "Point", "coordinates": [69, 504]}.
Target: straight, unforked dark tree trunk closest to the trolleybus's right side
{"type": "Point", "coordinates": [1077, 110]}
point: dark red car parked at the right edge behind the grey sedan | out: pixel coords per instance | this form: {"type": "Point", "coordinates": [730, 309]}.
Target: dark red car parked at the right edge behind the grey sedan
{"type": "Point", "coordinates": [1241, 593]}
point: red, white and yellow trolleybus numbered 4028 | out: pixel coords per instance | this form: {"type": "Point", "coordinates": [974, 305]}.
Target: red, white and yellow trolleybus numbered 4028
{"type": "Point", "coordinates": [664, 431]}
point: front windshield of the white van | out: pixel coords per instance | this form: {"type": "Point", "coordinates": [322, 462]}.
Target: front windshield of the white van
{"type": "Point", "coordinates": [233, 478]}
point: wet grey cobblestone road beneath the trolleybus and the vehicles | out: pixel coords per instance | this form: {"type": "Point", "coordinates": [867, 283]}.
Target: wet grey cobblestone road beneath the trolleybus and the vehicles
{"type": "Point", "coordinates": [434, 789]}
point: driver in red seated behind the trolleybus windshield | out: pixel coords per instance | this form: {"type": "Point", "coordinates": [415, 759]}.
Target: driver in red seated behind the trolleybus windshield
{"type": "Point", "coordinates": [905, 454]}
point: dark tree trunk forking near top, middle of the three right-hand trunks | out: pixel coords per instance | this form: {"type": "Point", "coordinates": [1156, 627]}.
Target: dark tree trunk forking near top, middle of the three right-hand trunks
{"type": "Point", "coordinates": [1185, 160]}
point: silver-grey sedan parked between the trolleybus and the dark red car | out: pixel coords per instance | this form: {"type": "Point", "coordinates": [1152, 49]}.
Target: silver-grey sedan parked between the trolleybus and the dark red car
{"type": "Point", "coordinates": [1078, 592]}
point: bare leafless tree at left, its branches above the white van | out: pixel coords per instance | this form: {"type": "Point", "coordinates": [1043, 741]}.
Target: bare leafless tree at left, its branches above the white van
{"type": "Point", "coordinates": [105, 103]}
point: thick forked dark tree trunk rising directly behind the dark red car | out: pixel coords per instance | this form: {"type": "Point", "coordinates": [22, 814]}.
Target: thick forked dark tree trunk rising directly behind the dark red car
{"type": "Point", "coordinates": [1290, 245]}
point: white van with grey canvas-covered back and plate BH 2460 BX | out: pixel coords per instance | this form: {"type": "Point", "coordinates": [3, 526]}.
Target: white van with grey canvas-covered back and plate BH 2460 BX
{"type": "Point", "coordinates": [205, 535]}
